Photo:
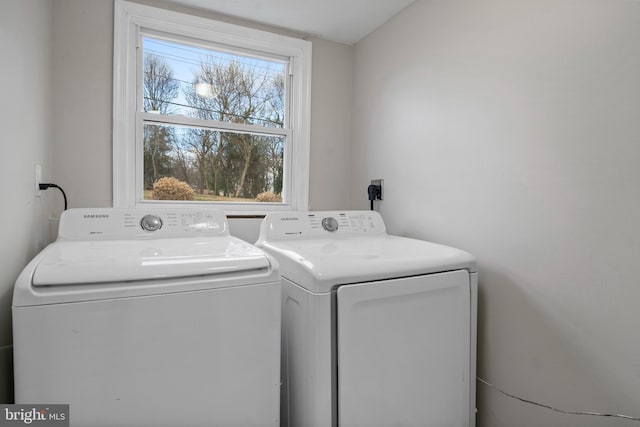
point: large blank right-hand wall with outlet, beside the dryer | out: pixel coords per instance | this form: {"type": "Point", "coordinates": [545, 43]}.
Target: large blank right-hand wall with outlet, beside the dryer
{"type": "Point", "coordinates": [511, 129]}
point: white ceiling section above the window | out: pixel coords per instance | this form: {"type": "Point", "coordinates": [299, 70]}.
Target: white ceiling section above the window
{"type": "Point", "coordinates": [343, 21]}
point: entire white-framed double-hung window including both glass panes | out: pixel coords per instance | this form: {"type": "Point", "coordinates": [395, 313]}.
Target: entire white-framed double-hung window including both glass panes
{"type": "Point", "coordinates": [208, 112]}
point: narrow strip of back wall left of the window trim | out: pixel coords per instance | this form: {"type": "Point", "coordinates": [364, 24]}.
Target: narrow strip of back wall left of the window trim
{"type": "Point", "coordinates": [83, 70]}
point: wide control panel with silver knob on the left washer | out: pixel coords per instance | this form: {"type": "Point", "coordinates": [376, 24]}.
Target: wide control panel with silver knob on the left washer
{"type": "Point", "coordinates": [116, 224]}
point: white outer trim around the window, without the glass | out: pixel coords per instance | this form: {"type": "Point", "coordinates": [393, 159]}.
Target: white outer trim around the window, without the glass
{"type": "Point", "coordinates": [129, 19]}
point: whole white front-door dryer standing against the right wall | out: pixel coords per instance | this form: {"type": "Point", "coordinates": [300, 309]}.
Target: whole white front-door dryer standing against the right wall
{"type": "Point", "coordinates": [378, 330]}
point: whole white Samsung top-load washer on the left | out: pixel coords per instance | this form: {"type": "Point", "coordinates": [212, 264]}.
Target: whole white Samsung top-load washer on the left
{"type": "Point", "coordinates": [149, 318]}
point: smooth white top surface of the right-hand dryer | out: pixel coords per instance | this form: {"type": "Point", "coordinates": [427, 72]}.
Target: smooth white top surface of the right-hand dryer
{"type": "Point", "coordinates": [320, 264]}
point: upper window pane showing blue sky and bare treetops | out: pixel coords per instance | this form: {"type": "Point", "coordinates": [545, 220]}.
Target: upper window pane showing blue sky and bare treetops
{"type": "Point", "coordinates": [187, 80]}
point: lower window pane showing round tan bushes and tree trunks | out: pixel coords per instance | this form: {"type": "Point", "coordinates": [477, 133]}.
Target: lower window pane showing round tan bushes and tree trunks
{"type": "Point", "coordinates": [188, 163]}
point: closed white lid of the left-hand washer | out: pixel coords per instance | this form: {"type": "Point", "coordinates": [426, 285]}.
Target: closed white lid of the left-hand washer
{"type": "Point", "coordinates": [109, 261]}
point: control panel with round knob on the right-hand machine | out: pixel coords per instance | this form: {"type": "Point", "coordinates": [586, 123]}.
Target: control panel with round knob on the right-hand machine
{"type": "Point", "coordinates": [321, 224]}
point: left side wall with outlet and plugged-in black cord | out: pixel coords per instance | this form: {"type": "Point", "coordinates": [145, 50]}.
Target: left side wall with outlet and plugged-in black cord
{"type": "Point", "coordinates": [25, 119]}
